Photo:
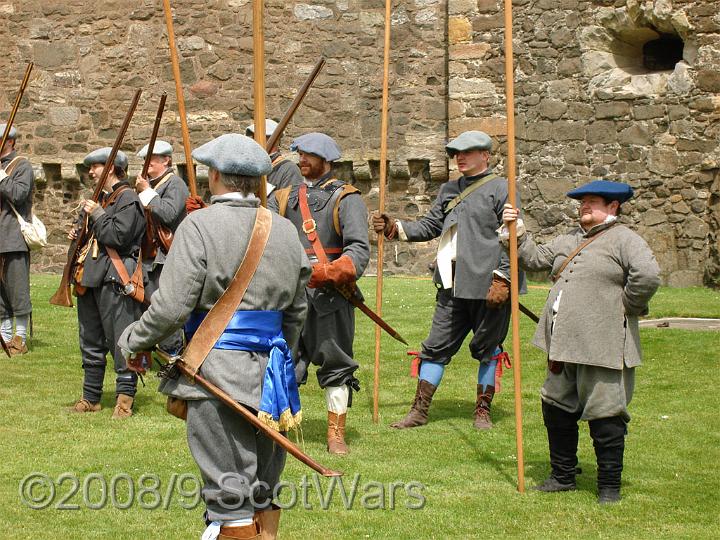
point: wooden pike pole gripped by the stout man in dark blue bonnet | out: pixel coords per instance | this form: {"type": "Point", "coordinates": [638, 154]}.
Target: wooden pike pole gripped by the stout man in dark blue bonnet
{"type": "Point", "coordinates": [514, 289]}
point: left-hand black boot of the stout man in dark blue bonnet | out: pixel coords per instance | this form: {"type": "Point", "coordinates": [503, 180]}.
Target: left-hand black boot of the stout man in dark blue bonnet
{"type": "Point", "coordinates": [562, 431]}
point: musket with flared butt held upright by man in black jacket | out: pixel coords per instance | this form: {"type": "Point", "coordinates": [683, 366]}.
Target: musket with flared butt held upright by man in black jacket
{"type": "Point", "coordinates": [62, 296]}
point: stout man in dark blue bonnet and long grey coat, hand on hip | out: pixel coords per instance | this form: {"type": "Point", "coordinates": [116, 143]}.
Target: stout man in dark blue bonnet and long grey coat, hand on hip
{"type": "Point", "coordinates": [604, 275]}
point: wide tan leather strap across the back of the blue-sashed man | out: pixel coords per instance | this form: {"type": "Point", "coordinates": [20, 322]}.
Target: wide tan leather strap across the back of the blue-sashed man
{"type": "Point", "coordinates": [217, 319]}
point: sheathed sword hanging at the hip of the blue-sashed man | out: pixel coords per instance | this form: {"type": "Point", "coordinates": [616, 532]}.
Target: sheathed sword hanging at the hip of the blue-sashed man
{"type": "Point", "coordinates": [275, 436]}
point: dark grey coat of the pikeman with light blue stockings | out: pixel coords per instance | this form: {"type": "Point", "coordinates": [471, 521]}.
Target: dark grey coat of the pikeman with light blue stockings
{"type": "Point", "coordinates": [477, 218]}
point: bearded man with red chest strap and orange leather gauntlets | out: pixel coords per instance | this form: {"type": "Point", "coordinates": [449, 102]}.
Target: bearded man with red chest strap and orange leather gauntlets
{"type": "Point", "coordinates": [331, 220]}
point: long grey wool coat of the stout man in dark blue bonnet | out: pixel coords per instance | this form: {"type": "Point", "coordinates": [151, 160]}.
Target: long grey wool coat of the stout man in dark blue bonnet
{"type": "Point", "coordinates": [604, 289]}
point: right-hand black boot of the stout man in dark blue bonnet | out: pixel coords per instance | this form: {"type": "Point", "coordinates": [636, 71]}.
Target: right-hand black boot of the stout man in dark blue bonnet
{"type": "Point", "coordinates": [608, 436]}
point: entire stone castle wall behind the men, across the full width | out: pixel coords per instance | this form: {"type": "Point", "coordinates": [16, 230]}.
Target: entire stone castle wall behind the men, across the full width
{"type": "Point", "coordinates": [586, 105]}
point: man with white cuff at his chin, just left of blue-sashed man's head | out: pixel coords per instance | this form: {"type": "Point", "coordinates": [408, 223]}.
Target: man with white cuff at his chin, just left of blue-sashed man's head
{"type": "Point", "coordinates": [163, 196]}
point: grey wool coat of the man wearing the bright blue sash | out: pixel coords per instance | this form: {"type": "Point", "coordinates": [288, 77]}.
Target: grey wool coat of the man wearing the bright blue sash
{"type": "Point", "coordinates": [205, 254]}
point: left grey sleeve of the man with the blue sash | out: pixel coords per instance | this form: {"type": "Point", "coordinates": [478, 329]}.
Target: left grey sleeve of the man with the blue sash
{"type": "Point", "coordinates": [181, 284]}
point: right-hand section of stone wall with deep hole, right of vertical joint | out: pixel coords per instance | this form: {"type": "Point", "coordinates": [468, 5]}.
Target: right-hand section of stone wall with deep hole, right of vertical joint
{"type": "Point", "coordinates": [587, 107]}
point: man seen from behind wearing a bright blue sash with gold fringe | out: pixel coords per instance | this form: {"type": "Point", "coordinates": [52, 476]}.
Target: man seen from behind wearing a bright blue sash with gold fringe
{"type": "Point", "coordinates": [240, 467]}
